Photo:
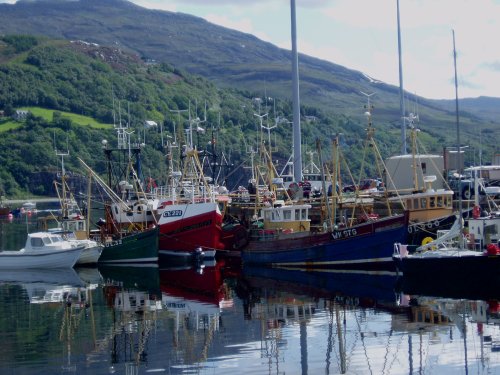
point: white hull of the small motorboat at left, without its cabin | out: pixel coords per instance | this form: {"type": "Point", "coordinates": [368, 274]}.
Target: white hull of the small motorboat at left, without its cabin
{"type": "Point", "coordinates": [59, 258]}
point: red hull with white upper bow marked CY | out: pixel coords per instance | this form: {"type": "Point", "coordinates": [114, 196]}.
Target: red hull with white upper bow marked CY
{"type": "Point", "coordinates": [185, 229]}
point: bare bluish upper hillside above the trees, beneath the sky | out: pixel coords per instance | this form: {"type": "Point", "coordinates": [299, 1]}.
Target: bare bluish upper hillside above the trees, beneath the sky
{"type": "Point", "coordinates": [229, 58]}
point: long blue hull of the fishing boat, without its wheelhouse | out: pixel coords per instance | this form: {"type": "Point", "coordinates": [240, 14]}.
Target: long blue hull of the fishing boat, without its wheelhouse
{"type": "Point", "coordinates": [366, 246]}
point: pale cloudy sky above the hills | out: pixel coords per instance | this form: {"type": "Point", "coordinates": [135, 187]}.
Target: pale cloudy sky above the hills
{"type": "Point", "coordinates": [362, 35]}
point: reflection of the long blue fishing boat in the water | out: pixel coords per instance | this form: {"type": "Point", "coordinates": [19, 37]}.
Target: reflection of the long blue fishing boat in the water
{"type": "Point", "coordinates": [346, 305]}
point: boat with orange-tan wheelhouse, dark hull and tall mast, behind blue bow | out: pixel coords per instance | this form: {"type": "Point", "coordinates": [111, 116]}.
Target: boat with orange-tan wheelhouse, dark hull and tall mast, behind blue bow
{"type": "Point", "coordinates": [412, 178]}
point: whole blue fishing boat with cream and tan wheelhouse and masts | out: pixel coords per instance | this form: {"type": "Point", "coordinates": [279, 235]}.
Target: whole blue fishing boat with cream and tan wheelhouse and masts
{"type": "Point", "coordinates": [282, 234]}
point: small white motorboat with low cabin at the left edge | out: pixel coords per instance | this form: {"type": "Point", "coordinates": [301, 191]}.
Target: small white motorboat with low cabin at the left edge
{"type": "Point", "coordinates": [42, 250]}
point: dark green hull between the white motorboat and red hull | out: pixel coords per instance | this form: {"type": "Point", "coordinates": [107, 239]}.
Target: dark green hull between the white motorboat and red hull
{"type": "Point", "coordinates": [141, 247]}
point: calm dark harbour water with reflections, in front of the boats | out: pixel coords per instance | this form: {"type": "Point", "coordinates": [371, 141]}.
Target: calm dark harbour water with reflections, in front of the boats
{"type": "Point", "coordinates": [227, 319]}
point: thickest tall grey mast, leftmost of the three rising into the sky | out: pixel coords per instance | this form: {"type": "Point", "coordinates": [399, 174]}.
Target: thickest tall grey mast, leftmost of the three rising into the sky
{"type": "Point", "coordinates": [297, 152]}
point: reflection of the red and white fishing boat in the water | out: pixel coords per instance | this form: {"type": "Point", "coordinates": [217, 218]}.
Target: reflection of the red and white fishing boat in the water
{"type": "Point", "coordinates": [195, 297]}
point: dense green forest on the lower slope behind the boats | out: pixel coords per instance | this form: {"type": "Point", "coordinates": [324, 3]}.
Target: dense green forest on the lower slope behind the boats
{"type": "Point", "coordinates": [110, 86]}
